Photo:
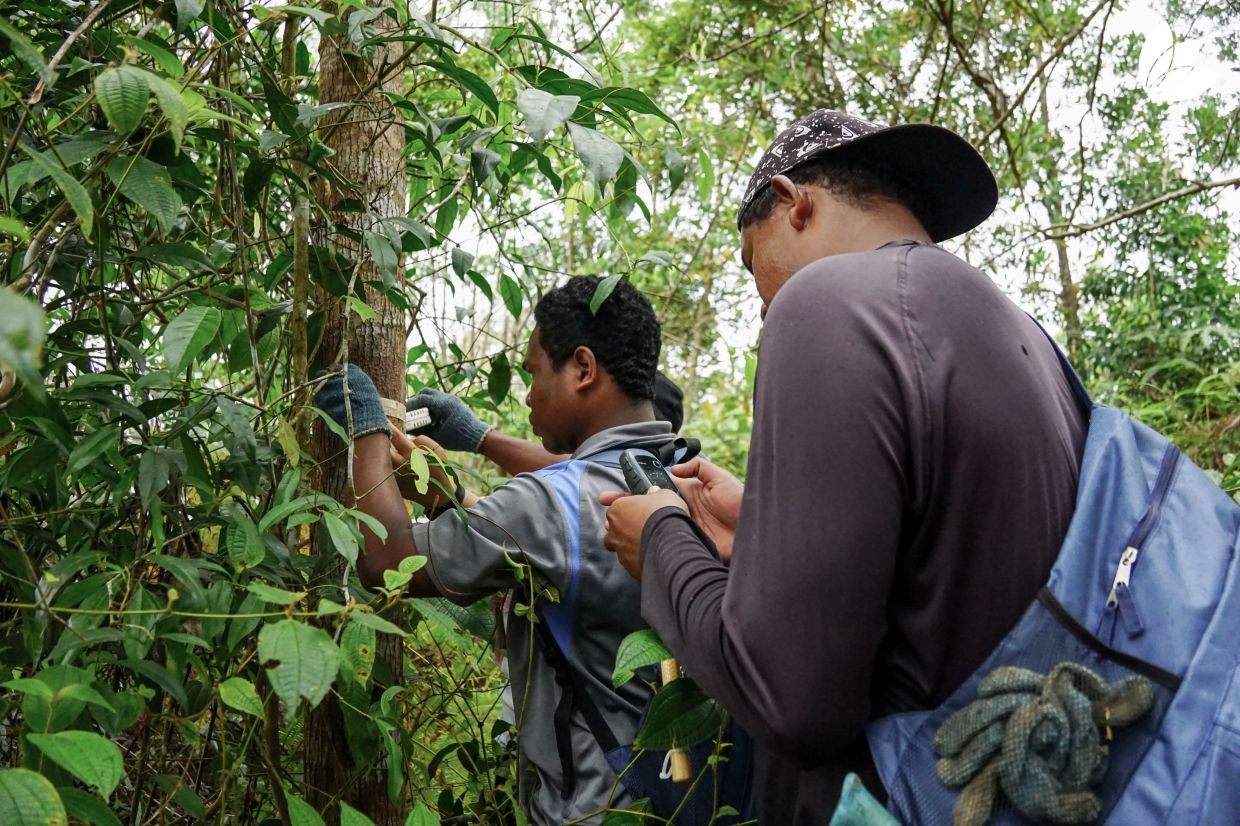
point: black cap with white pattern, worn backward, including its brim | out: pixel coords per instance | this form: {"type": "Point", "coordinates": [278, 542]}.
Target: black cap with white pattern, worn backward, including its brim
{"type": "Point", "coordinates": [957, 188]}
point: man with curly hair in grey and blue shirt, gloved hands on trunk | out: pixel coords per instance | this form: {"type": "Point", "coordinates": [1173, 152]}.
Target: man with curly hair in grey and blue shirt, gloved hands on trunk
{"type": "Point", "coordinates": [540, 535]}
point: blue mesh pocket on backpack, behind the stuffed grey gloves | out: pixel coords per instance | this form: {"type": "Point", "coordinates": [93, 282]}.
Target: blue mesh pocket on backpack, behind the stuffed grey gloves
{"type": "Point", "coordinates": [1046, 638]}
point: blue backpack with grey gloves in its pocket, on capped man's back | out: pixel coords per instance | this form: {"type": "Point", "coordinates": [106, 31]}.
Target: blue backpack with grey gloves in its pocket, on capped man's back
{"type": "Point", "coordinates": [1144, 598]}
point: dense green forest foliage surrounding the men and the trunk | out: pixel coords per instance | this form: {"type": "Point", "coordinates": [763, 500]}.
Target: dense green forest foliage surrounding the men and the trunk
{"type": "Point", "coordinates": [168, 616]}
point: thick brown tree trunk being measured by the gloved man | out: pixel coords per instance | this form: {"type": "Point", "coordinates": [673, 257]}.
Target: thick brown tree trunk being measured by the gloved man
{"type": "Point", "coordinates": [368, 140]}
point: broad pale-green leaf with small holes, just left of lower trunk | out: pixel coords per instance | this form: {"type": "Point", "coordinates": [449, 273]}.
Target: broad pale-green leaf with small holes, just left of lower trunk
{"type": "Point", "coordinates": [301, 662]}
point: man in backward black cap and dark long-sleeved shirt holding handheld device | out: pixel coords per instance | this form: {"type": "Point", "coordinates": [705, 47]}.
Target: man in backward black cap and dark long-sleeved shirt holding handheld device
{"type": "Point", "coordinates": [912, 471]}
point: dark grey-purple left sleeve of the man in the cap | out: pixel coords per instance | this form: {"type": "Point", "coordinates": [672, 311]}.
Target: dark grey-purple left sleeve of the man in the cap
{"type": "Point", "coordinates": [787, 637]}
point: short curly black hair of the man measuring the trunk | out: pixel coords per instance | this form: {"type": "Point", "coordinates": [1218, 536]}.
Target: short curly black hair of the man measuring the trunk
{"type": "Point", "coordinates": [624, 335]}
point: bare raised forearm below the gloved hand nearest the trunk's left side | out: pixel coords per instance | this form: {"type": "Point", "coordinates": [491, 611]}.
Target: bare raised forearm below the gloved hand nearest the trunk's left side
{"type": "Point", "coordinates": [380, 497]}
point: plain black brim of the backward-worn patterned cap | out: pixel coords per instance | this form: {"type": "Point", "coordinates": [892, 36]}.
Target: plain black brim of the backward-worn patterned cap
{"type": "Point", "coordinates": [957, 185]}
